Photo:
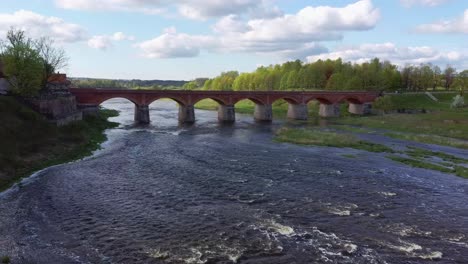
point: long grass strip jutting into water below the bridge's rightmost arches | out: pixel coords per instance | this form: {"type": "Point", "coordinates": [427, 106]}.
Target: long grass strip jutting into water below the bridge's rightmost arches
{"type": "Point", "coordinates": [326, 138]}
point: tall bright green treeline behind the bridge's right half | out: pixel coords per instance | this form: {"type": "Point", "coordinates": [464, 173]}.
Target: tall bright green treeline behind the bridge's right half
{"type": "Point", "coordinates": [338, 75]}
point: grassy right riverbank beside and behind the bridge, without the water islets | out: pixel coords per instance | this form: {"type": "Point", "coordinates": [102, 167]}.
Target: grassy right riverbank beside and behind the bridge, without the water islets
{"type": "Point", "coordinates": [437, 124]}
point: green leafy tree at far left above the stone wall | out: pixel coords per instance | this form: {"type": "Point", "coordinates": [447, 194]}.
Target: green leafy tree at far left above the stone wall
{"type": "Point", "coordinates": [23, 64]}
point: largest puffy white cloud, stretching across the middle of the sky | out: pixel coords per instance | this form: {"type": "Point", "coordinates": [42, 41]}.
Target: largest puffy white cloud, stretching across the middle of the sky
{"type": "Point", "coordinates": [285, 35]}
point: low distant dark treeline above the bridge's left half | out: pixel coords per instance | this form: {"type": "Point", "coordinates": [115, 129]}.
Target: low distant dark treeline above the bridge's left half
{"type": "Point", "coordinates": [126, 84]}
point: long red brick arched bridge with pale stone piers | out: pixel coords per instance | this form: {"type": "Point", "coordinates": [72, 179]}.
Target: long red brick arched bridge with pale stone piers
{"type": "Point", "coordinates": [89, 99]}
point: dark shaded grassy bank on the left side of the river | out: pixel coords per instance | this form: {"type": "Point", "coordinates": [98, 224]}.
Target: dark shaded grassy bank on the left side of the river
{"type": "Point", "coordinates": [30, 143]}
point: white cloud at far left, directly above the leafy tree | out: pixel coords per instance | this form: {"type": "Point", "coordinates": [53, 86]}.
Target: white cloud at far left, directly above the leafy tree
{"type": "Point", "coordinates": [36, 25]}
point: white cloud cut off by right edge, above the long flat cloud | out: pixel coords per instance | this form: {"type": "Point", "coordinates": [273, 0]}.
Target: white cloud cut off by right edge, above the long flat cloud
{"type": "Point", "coordinates": [458, 25]}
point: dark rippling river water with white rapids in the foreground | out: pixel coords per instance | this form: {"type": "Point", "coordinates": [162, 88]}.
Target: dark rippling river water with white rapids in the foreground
{"type": "Point", "coordinates": [212, 193]}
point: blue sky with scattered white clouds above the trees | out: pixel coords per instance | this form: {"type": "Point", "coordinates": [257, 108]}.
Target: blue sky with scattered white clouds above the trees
{"type": "Point", "coordinates": [187, 39]}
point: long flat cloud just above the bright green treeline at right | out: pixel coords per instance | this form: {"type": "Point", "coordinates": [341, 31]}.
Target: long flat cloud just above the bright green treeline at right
{"type": "Point", "coordinates": [393, 53]}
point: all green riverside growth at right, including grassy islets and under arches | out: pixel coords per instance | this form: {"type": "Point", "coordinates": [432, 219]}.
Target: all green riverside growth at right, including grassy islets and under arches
{"type": "Point", "coordinates": [442, 125]}
